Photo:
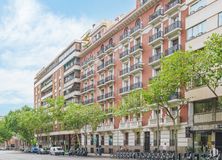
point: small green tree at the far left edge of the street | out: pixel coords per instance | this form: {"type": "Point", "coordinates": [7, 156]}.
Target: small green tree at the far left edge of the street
{"type": "Point", "coordinates": [5, 133]}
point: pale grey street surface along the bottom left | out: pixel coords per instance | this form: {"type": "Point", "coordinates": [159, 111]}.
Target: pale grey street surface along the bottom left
{"type": "Point", "coordinates": [15, 155]}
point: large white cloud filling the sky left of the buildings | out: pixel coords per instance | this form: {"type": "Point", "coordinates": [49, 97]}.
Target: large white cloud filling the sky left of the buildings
{"type": "Point", "coordinates": [30, 37]}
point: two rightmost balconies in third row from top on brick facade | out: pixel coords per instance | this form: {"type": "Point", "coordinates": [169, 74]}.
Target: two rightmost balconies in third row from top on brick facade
{"type": "Point", "coordinates": [155, 58]}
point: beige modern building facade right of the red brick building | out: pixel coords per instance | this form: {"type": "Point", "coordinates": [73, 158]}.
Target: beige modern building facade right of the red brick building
{"type": "Point", "coordinates": [205, 119]}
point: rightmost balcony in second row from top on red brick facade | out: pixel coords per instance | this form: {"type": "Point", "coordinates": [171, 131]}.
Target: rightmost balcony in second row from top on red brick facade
{"type": "Point", "coordinates": [173, 29]}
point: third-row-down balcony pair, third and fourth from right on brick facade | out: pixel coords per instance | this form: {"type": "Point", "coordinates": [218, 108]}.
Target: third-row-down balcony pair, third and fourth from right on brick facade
{"type": "Point", "coordinates": [132, 69]}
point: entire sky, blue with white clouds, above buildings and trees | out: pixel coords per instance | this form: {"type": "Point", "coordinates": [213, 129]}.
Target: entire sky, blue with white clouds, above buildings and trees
{"type": "Point", "coordinates": [32, 32]}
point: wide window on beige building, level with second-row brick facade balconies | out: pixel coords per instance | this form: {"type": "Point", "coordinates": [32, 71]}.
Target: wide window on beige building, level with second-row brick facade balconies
{"type": "Point", "coordinates": [195, 31]}
